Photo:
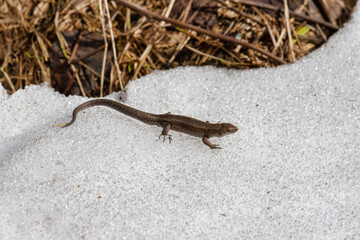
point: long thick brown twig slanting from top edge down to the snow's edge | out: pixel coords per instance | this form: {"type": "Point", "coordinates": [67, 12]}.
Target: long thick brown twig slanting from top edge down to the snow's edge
{"type": "Point", "coordinates": [199, 30]}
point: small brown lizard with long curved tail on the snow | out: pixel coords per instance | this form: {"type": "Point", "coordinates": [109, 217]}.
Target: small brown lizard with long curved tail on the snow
{"type": "Point", "coordinates": [167, 121]}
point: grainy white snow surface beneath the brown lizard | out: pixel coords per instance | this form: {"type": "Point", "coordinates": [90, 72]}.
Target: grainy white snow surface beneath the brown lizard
{"type": "Point", "coordinates": [291, 171]}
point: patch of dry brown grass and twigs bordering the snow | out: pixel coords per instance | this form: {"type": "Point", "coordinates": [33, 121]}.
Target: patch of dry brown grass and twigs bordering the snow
{"type": "Point", "coordinates": [72, 45]}
